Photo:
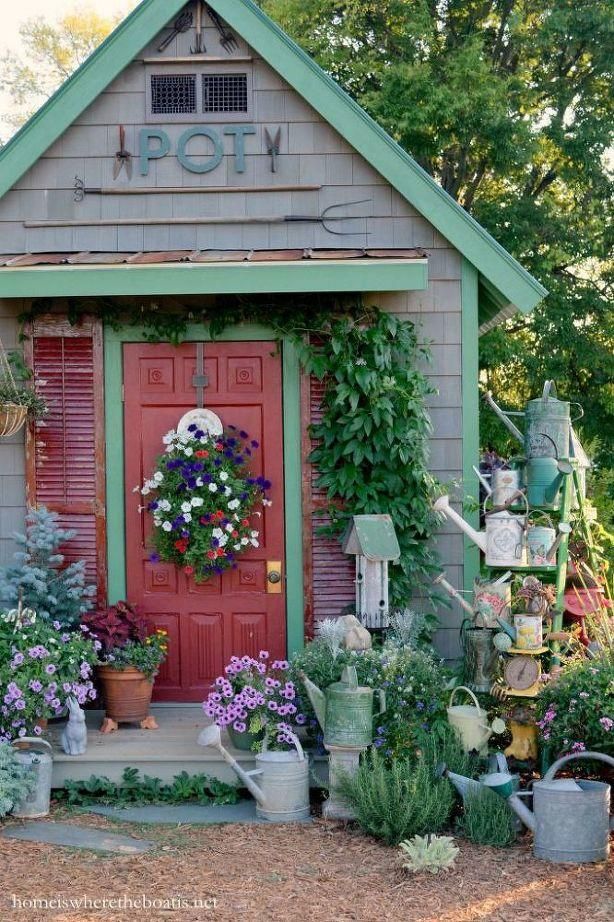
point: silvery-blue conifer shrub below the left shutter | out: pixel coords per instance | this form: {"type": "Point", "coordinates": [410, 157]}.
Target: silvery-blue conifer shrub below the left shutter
{"type": "Point", "coordinates": [41, 579]}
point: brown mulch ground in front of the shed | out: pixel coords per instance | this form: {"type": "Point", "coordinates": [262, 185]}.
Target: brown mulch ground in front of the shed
{"type": "Point", "coordinates": [325, 872]}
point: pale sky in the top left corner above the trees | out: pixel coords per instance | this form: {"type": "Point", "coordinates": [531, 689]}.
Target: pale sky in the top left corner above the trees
{"type": "Point", "coordinates": [15, 12]}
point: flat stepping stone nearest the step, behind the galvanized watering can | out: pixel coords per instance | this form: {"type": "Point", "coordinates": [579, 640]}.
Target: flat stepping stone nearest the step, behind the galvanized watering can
{"type": "Point", "coordinates": [187, 814]}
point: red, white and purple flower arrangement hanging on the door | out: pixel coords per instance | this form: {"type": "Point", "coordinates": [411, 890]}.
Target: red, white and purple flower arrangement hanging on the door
{"type": "Point", "coordinates": [203, 500]}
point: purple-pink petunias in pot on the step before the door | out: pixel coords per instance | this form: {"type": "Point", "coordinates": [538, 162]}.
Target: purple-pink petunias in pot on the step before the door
{"type": "Point", "coordinates": [254, 697]}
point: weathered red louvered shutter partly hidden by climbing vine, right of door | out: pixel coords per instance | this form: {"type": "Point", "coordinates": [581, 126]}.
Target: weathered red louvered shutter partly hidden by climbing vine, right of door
{"type": "Point", "coordinates": [332, 571]}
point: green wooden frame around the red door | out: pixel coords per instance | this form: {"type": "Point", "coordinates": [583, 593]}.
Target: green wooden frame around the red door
{"type": "Point", "coordinates": [114, 340]}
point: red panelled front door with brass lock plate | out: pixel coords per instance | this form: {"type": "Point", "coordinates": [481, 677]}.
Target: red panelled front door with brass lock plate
{"type": "Point", "coordinates": [232, 613]}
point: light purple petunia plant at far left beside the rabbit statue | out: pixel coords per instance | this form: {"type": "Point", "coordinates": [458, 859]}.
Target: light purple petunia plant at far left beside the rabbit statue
{"type": "Point", "coordinates": [41, 665]}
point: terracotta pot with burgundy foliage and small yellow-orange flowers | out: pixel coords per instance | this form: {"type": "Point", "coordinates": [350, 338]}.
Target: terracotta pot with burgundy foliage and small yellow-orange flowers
{"type": "Point", "coordinates": [130, 658]}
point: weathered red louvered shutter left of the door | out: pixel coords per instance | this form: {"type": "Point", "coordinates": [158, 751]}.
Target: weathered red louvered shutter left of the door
{"type": "Point", "coordinates": [65, 452]}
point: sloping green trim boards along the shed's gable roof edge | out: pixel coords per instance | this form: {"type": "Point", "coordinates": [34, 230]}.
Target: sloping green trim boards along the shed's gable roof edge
{"type": "Point", "coordinates": [505, 285]}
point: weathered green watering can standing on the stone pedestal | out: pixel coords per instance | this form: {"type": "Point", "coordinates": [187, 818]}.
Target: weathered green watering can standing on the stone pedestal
{"type": "Point", "coordinates": [345, 710]}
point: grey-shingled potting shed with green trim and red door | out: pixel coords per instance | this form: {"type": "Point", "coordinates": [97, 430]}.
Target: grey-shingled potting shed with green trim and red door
{"type": "Point", "coordinates": [184, 166]}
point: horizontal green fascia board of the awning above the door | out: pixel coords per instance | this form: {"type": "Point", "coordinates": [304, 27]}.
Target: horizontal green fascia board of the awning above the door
{"type": "Point", "coordinates": [215, 278]}
